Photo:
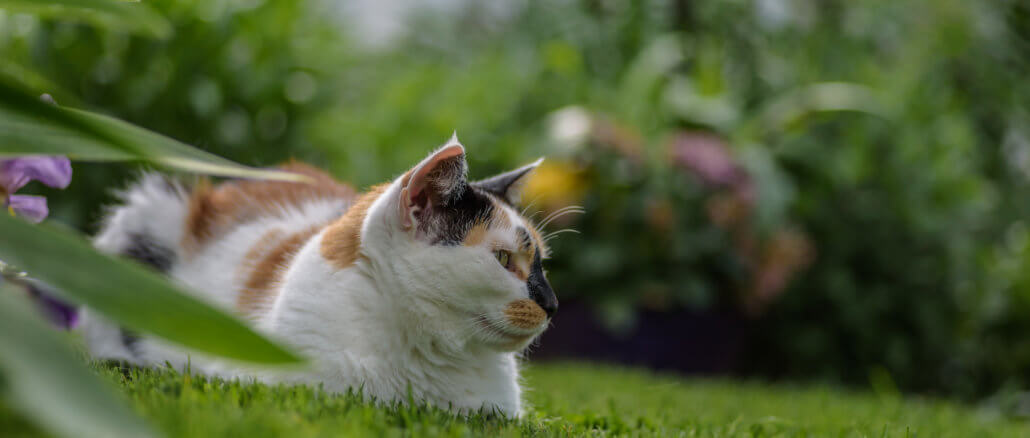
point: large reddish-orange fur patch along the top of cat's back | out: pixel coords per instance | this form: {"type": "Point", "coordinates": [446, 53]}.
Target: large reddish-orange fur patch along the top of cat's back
{"type": "Point", "coordinates": [216, 210]}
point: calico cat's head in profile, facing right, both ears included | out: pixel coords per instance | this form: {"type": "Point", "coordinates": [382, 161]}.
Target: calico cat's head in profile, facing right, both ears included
{"type": "Point", "coordinates": [457, 255]}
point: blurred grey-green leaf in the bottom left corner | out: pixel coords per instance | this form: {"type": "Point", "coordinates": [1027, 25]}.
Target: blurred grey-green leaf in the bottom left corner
{"type": "Point", "coordinates": [48, 382]}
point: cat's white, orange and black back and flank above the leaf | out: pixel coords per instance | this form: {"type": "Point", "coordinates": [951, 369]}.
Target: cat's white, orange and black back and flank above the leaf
{"type": "Point", "coordinates": [228, 242]}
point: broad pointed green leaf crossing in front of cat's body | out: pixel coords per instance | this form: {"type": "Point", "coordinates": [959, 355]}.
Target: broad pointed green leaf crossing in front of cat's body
{"type": "Point", "coordinates": [128, 293]}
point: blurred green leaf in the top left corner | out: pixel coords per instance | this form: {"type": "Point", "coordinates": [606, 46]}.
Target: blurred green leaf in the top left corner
{"type": "Point", "coordinates": [131, 16]}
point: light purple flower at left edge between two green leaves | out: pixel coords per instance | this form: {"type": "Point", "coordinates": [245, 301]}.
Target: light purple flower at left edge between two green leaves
{"type": "Point", "coordinates": [15, 174]}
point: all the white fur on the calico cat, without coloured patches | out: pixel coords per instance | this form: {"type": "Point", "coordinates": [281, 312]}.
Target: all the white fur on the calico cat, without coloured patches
{"type": "Point", "coordinates": [405, 317]}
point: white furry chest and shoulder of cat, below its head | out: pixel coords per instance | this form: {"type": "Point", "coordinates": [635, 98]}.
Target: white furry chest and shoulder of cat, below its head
{"type": "Point", "coordinates": [360, 340]}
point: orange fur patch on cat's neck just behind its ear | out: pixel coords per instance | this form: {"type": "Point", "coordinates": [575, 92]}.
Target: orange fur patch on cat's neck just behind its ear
{"type": "Point", "coordinates": [342, 241]}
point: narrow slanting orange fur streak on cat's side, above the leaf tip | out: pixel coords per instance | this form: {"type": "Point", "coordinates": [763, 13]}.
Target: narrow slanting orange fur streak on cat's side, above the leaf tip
{"type": "Point", "coordinates": [272, 261]}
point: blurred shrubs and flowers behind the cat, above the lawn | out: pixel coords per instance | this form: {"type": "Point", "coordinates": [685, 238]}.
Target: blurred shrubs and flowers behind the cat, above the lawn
{"type": "Point", "coordinates": [801, 190]}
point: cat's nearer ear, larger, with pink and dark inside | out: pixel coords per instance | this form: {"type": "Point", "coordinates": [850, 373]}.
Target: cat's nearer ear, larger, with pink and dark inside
{"type": "Point", "coordinates": [433, 183]}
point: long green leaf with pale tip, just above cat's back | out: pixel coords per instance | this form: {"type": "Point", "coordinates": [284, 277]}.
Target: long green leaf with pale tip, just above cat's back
{"type": "Point", "coordinates": [29, 126]}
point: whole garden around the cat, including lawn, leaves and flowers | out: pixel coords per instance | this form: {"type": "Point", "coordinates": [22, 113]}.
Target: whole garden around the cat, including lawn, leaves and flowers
{"type": "Point", "coordinates": [770, 218]}
